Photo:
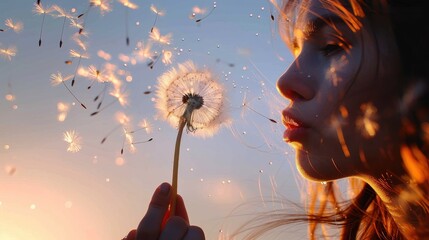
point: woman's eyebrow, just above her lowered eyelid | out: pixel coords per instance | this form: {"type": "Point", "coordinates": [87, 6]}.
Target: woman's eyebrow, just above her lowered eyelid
{"type": "Point", "coordinates": [317, 23]}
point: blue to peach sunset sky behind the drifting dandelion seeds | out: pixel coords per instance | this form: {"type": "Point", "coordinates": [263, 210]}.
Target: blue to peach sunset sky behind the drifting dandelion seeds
{"type": "Point", "coordinates": [87, 188]}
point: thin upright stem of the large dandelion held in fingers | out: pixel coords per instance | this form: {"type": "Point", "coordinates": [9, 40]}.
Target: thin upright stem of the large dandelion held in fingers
{"type": "Point", "coordinates": [182, 124]}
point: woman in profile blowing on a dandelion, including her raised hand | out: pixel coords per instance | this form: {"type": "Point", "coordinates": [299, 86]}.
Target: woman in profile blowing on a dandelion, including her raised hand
{"type": "Point", "coordinates": [359, 109]}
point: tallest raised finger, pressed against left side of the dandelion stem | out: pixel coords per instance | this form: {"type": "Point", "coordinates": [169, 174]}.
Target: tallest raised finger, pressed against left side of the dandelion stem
{"type": "Point", "coordinates": [150, 226]}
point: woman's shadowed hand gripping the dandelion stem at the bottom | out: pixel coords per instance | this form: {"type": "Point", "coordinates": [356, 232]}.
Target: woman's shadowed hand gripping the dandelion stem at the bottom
{"type": "Point", "coordinates": [158, 225]}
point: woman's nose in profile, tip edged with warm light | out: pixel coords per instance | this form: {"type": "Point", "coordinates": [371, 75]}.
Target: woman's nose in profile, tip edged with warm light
{"type": "Point", "coordinates": [296, 84]}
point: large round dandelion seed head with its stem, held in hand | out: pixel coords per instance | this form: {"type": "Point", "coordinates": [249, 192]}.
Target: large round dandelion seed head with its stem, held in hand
{"type": "Point", "coordinates": [193, 98]}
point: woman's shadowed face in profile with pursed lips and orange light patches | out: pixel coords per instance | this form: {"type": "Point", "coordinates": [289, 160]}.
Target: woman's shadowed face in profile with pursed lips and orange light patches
{"type": "Point", "coordinates": [342, 118]}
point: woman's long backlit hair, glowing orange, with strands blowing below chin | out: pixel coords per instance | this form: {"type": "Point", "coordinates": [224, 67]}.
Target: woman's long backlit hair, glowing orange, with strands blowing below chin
{"type": "Point", "coordinates": [364, 215]}
